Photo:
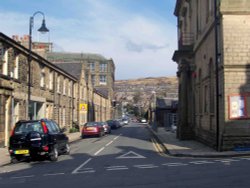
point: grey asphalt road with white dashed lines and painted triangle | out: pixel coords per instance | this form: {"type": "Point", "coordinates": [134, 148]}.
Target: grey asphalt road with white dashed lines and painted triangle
{"type": "Point", "coordinates": [126, 158]}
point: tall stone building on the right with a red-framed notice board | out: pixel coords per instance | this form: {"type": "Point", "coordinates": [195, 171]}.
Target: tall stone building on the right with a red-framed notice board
{"type": "Point", "coordinates": [213, 70]}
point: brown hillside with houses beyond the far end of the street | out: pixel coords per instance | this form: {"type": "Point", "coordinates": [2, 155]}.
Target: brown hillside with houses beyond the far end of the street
{"type": "Point", "coordinates": [138, 92]}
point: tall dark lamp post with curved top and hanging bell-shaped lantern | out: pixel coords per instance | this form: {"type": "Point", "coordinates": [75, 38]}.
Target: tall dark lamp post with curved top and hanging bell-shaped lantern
{"type": "Point", "coordinates": [42, 29]}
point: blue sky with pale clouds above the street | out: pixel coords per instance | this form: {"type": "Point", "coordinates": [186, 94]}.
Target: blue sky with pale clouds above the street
{"type": "Point", "coordinates": [139, 35]}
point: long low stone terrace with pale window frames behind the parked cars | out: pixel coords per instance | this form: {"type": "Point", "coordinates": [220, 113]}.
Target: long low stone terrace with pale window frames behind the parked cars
{"type": "Point", "coordinates": [54, 93]}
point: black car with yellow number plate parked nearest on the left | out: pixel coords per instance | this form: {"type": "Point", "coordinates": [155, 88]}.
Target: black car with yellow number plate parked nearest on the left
{"type": "Point", "coordinates": [34, 138]}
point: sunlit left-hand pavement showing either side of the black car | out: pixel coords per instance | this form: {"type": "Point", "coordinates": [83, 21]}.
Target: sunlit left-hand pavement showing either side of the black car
{"type": "Point", "coordinates": [4, 154]}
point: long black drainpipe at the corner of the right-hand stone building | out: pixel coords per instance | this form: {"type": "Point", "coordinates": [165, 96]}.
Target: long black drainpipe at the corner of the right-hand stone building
{"type": "Point", "coordinates": [217, 56]}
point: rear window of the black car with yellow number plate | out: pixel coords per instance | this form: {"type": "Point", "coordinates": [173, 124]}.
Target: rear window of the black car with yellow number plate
{"type": "Point", "coordinates": [26, 127]}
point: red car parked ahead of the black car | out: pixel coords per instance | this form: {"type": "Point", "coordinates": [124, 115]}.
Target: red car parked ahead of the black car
{"type": "Point", "coordinates": [92, 129]}
